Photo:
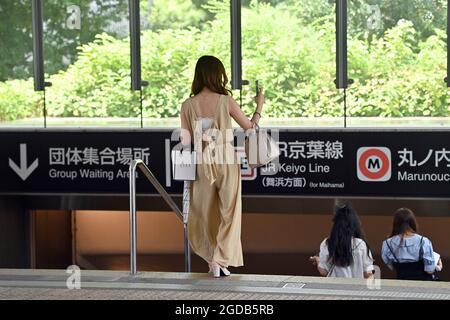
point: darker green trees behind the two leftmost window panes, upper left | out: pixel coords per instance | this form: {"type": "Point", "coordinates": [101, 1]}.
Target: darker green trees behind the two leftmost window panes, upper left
{"type": "Point", "coordinates": [61, 40]}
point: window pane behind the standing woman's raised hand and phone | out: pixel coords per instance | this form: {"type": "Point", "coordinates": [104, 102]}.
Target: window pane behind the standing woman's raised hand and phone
{"type": "Point", "coordinates": [289, 45]}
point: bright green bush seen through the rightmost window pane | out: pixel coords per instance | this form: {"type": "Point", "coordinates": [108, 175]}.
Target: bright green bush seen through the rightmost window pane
{"type": "Point", "coordinates": [398, 79]}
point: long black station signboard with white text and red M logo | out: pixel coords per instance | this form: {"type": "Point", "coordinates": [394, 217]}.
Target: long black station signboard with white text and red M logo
{"type": "Point", "coordinates": [367, 163]}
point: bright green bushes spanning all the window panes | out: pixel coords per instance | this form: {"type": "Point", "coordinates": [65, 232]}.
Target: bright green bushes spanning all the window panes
{"type": "Point", "coordinates": [287, 46]}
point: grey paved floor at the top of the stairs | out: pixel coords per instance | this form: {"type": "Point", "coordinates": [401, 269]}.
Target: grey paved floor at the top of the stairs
{"type": "Point", "coordinates": [105, 285]}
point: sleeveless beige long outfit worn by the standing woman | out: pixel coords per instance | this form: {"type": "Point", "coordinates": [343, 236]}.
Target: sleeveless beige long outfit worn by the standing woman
{"type": "Point", "coordinates": [215, 205]}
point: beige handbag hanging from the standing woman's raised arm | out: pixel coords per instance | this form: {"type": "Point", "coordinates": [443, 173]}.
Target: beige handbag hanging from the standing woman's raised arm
{"type": "Point", "coordinates": [260, 147]}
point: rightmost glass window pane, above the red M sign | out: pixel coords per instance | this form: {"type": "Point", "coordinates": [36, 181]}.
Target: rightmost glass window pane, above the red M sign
{"type": "Point", "coordinates": [398, 59]}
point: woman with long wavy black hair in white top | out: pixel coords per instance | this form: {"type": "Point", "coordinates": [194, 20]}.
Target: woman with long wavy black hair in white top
{"type": "Point", "coordinates": [345, 253]}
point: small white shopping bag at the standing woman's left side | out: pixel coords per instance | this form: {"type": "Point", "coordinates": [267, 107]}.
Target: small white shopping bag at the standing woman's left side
{"type": "Point", "coordinates": [184, 165]}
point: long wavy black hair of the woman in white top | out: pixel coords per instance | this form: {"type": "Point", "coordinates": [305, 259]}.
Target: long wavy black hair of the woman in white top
{"type": "Point", "coordinates": [346, 226]}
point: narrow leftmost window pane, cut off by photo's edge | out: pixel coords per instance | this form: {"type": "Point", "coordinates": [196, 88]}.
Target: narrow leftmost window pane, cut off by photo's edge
{"type": "Point", "coordinates": [19, 104]}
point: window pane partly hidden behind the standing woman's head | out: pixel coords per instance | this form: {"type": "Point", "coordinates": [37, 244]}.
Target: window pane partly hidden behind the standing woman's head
{"type": "Point", "coordinates": [175, 33]}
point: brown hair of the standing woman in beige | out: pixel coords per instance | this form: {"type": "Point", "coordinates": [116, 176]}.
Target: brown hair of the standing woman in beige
{"type": "Point", "coordinates": [210, 73]}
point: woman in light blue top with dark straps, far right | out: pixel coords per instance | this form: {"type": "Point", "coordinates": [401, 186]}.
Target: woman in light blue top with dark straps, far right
{"type": "Point", "coordinates": [411, 255]}
